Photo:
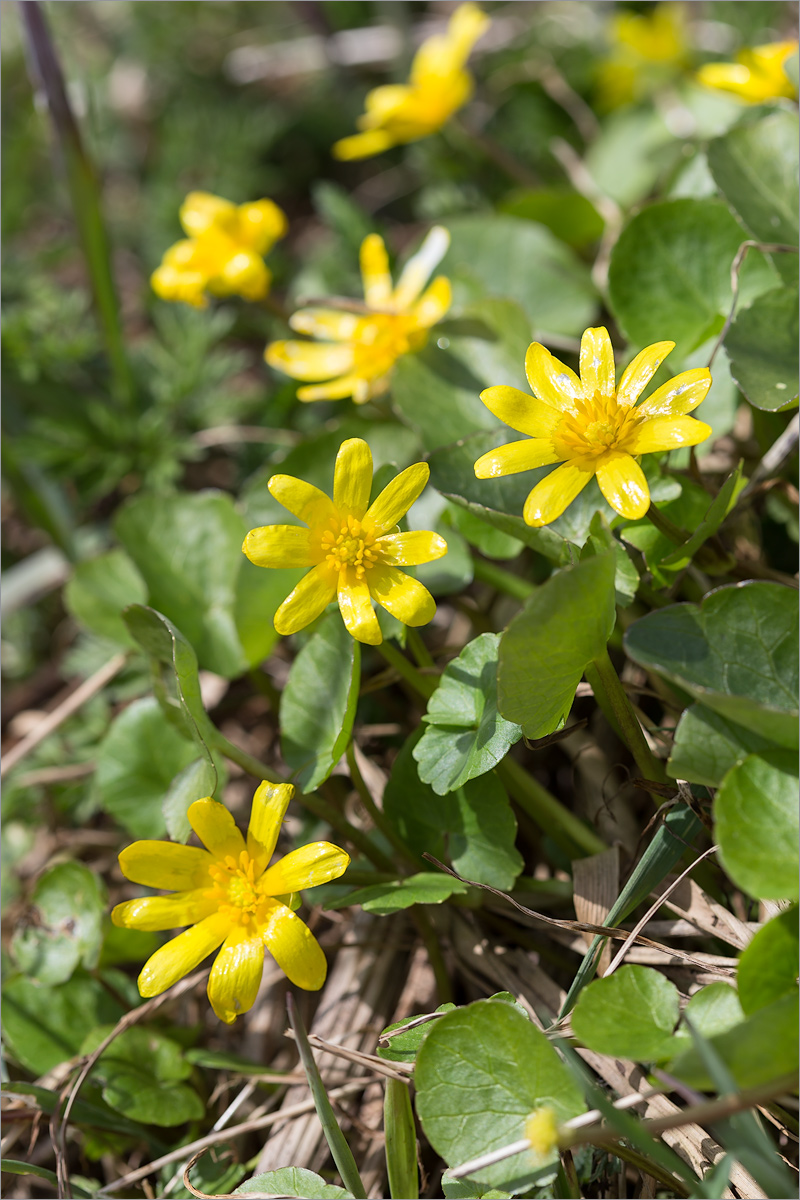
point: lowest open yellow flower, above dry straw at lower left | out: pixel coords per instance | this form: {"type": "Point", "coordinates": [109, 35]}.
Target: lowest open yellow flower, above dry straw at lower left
{"type": "Point", "coordinates": [232, 898]}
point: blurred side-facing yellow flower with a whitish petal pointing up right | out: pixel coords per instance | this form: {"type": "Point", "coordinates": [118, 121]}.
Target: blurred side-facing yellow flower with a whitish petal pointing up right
{"type": "Point", "coordinates": [359, 350]}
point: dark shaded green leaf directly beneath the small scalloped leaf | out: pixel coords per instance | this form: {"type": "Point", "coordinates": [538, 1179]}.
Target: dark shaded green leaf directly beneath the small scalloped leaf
{"type": "Point", "coordinates": [476, 826]}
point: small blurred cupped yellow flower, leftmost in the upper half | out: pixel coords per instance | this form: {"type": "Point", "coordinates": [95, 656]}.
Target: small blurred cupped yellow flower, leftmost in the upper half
{"type": "Point", "coordinates": [224, 253]}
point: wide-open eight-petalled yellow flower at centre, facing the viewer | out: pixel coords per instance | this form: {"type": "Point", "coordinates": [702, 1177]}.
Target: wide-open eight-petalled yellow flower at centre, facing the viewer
{"type": "Point", "coordinates": [354, 548]}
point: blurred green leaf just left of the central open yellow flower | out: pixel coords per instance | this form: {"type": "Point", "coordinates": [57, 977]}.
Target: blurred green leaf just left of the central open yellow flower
{"type": "Point", "coordinates": [188, 548]}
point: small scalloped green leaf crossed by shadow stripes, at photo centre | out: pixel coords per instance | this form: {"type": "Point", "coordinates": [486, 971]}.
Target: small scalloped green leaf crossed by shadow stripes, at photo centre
{"type": "Point", "coordinates": [466, 735]}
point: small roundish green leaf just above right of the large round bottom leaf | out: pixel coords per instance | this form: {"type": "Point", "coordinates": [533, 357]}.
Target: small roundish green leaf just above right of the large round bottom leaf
{"type": "Point", "coordinates": [631, 1015]}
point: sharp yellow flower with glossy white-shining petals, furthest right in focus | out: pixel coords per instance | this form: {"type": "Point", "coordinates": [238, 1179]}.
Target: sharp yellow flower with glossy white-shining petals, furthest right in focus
{"type": "Point", "coordinates": [592, 427]}
